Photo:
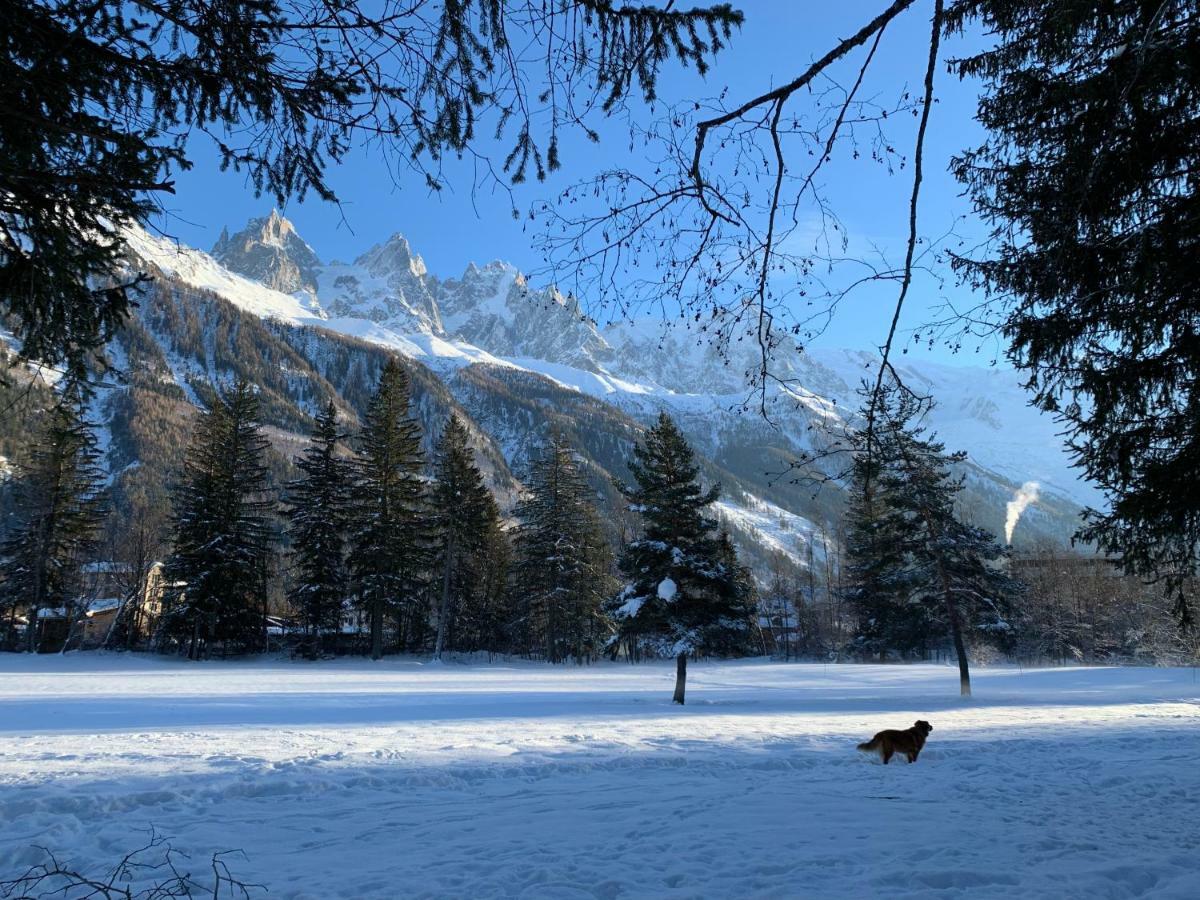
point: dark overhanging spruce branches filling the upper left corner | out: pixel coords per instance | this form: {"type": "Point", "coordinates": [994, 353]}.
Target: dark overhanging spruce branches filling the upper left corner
{"type": "Point", "coordinates": [99, 103]}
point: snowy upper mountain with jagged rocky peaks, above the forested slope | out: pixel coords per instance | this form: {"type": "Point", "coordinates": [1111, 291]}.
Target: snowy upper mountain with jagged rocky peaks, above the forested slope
{"type": "Point", "coordinates": [491, 316]}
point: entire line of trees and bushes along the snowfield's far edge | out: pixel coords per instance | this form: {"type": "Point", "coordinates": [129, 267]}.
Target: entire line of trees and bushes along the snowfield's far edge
{"type": "Point", "coordinates": [371, 548]}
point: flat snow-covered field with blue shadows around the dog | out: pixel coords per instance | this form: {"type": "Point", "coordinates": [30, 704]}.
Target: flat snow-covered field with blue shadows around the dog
{"type": "Point", "coordinates": [401, 779]}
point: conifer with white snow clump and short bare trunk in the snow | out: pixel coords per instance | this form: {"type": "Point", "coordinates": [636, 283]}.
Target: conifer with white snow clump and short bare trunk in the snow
{"type": "Point", "coordinates": [685, 593]}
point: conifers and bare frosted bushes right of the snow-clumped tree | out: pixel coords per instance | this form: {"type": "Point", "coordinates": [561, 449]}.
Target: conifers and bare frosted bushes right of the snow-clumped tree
{"type": "Point", "coordinates": [905, 575]}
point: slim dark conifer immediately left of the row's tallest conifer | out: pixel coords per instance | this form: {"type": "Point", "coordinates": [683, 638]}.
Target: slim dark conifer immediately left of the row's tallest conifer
{"type": "Point", "coordinates": [320, 518]}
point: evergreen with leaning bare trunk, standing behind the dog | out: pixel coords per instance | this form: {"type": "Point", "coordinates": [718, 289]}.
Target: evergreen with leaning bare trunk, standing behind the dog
{"type": "Point", "coordinates": [916, 572]}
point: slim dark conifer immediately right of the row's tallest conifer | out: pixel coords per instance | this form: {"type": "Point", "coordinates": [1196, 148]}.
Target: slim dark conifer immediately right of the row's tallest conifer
{"type": "Point", "coordinates": [465, 517]}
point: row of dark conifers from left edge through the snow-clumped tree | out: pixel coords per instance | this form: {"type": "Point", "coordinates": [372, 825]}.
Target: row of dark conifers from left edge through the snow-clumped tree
{"type": "Point", "coordinates": [371, 537]}
